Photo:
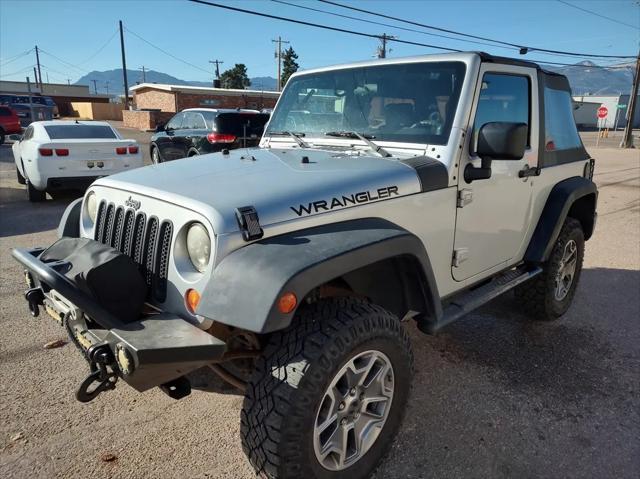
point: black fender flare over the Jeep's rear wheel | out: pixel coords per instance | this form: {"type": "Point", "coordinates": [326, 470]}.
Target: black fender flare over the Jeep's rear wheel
{"type": "Point", "coordinates": [576, 197]}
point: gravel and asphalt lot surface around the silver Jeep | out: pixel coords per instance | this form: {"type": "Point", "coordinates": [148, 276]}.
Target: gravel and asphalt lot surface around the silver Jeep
{"type": "Point", "coordinates": [494, 395]}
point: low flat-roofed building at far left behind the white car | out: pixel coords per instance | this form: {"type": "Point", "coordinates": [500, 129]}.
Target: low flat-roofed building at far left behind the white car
{"type": "Point", "coordinates": [63, 95]}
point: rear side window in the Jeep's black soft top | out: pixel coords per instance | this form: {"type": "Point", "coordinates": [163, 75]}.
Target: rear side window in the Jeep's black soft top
{"type": "Point", "coordinates": [560, 127]}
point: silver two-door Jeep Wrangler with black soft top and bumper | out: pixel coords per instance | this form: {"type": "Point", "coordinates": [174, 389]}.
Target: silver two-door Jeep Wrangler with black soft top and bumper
{"type": "Point", "coordinates": [383, 191]}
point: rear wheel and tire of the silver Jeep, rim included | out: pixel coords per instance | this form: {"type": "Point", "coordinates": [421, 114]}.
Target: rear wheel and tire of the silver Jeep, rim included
{"type": "Point", "coordinates": [548, 296]}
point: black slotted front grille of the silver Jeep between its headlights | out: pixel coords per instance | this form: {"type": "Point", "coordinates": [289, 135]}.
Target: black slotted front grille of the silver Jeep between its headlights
{"type": "Point", "coordinates": [146, 240]}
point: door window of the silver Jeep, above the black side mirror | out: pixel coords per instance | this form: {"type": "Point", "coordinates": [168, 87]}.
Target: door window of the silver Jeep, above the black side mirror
{"type": "Point", "coordinates": [503, 98]}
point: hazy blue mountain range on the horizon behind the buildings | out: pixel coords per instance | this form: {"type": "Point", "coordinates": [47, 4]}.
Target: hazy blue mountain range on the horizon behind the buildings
{"type": "Point", "coordinates": [586, 78]}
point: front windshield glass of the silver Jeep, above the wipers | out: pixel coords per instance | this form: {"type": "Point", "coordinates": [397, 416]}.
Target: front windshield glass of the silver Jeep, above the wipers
{"type": "Point", "coordinates": [413, 103]}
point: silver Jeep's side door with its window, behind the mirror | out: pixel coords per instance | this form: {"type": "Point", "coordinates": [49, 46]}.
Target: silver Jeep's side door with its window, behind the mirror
{"type": "Point", "coordinates": [491, 225]}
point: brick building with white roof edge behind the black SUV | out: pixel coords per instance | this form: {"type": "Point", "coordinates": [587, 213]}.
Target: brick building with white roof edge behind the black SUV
{"type": "Point", "coordinates": [155, 103]}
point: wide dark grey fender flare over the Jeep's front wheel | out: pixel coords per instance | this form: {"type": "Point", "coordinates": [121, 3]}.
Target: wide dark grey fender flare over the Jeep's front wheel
{"type": "Point", "coordinates": [244, 288]}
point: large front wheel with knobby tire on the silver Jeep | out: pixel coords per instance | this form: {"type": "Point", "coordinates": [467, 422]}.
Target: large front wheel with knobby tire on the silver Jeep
{"type": "Point", "coordinates": [328, 393]}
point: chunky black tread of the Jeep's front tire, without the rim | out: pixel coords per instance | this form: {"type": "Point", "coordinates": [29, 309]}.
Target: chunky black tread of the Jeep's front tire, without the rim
{"type": "Point", "coordinates": [267, 397]}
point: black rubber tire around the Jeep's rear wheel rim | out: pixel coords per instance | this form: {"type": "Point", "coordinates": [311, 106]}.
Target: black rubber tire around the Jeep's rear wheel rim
{"type": "Point", "coordinates": [536, 296]}
